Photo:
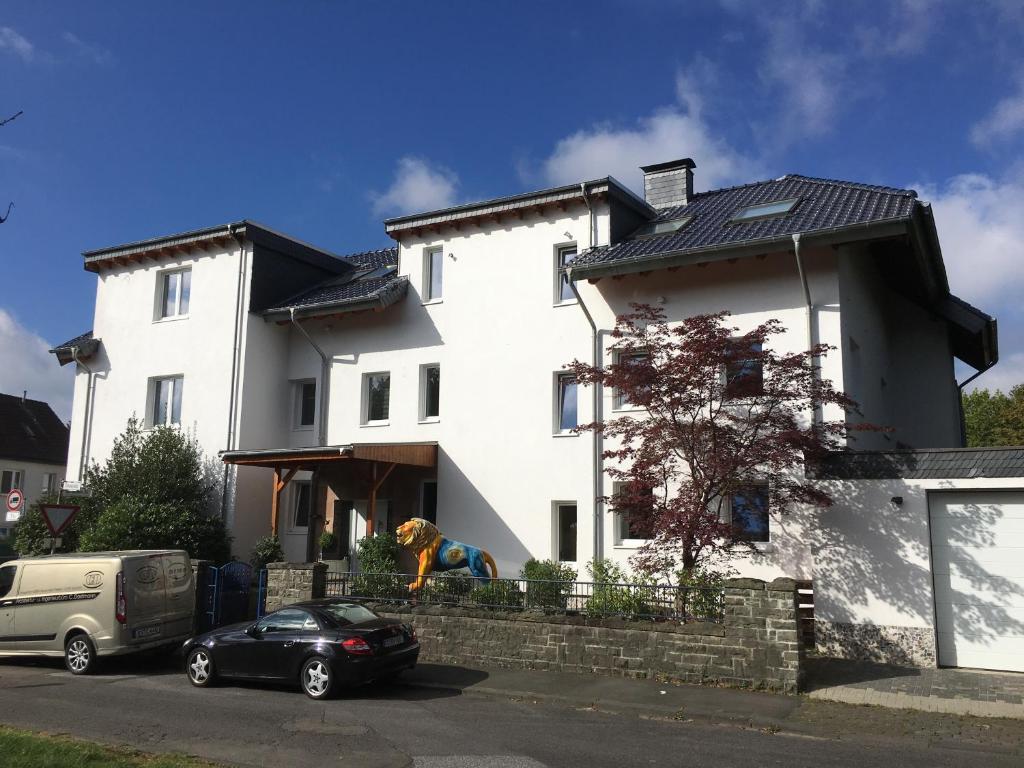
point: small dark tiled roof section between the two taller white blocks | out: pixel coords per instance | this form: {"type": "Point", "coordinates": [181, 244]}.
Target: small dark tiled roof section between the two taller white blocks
{"type": "Point", "coordinates": [374, 284]}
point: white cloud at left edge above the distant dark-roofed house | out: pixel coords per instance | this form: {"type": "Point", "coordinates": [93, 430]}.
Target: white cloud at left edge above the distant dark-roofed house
{"type": "Point", "coordinates": [29, 366]}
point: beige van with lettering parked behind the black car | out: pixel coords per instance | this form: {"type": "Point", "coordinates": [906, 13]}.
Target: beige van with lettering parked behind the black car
{"type": "Point", "coordinates": [87, 606]}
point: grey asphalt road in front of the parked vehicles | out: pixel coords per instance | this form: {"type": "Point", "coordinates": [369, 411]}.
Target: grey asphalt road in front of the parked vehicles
{"type": "Point", "coordinates": [152, 707]}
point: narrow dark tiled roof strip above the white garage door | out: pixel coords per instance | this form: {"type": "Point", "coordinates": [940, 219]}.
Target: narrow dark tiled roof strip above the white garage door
{"type": "Point", "coordinates": [944, 463]}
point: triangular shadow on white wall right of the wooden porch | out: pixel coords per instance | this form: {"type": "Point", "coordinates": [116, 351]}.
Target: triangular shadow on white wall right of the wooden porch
{"type": "Point", "coordinates": [465, 516]}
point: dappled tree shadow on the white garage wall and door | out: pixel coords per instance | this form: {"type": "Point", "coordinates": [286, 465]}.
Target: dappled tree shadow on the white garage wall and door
{"type": "Point", "coordinates": [873, 564]}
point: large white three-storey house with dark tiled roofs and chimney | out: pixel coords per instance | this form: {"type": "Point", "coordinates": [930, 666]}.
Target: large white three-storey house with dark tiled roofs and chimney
{"type": "Point", "coordinates": [428, 379]}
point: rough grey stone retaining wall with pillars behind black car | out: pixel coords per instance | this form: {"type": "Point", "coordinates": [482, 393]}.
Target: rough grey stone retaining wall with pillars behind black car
{"type": "Point", "coordinates": [756, 646]}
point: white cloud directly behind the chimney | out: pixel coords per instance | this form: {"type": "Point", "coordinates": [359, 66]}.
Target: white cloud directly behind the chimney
{"type": "Point", "coordinates": [669, 134]}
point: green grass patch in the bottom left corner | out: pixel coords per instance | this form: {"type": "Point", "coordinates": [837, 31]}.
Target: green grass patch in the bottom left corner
{"type": "Point", "coordinates": [27, 750]}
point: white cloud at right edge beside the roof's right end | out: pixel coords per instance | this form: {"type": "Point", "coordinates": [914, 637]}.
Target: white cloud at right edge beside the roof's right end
{"type": "Point", "coordinates": [983, 232]}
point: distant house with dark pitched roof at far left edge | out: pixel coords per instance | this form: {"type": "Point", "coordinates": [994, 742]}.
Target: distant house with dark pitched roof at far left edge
{"type": "Point", "coordinates": [33, 453]}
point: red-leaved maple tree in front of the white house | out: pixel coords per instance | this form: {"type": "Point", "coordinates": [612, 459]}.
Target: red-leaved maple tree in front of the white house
{"type": "Point", "coordinates": [719, 413]}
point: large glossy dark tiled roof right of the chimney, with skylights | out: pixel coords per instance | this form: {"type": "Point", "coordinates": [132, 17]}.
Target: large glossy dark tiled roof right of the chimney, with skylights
{"type": "Point", "coordinates": [825, 204]}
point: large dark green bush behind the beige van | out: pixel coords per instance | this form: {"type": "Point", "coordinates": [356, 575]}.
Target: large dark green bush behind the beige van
{"type": "Point", "coordinates": [153, 493]}
